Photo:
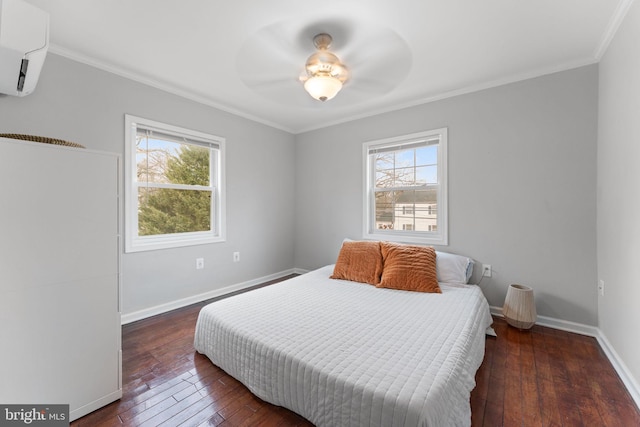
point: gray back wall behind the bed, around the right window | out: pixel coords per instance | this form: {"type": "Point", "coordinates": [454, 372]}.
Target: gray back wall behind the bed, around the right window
{"type": "Point", "coordinates": [522, 177]}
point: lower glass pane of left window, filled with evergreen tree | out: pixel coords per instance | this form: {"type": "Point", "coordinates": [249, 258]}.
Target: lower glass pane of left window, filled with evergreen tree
{"type": "Point", "coordinates": [165, 211]}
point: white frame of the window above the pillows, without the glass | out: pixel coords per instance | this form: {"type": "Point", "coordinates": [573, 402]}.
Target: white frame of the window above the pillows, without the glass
{"type": "Point", "coordinates": [439, 237]}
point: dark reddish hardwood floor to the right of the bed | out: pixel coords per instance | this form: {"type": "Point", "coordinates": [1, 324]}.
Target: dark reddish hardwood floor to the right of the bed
{"type": "Point", "coordinates": [547, 377]}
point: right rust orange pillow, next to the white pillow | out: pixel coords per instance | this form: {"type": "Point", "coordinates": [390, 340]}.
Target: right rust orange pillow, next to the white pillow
{"type": "Point", "coordinates": [409, 268]}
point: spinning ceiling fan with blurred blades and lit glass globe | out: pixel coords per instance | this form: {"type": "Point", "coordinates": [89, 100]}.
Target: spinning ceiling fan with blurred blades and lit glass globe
{"type": "Point", "coordinates": [360, 60]}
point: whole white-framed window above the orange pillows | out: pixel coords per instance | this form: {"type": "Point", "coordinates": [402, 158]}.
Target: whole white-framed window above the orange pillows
{"type": "Point", "coordinates": [406, 189]}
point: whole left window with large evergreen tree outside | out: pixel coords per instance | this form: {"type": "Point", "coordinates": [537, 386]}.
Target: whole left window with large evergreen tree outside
{"type": "Point", "coordinates": [174, 186]}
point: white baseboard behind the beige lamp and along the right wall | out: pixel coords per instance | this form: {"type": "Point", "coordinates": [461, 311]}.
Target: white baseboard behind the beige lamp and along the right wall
{"type": "Point", "coordinates": [621, 368]}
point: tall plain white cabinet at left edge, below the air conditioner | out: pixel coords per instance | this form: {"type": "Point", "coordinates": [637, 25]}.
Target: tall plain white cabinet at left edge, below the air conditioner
{"type": "Point", "coordinates": [59, 276]}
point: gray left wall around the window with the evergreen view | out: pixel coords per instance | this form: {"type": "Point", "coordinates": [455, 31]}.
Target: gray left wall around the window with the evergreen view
{"type": "Point", "coordinates": [80, 103]}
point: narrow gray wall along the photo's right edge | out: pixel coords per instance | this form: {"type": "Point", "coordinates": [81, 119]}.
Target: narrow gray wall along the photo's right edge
{"type": "Point", "coordinates": [618, 190]}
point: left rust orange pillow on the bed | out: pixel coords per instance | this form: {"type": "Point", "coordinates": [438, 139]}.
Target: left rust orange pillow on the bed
{"type": "Point", "coordinates": [359, 261]}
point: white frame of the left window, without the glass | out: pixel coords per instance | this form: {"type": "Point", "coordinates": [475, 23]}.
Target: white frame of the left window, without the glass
{"type": "Point", "coordinates": [137, 243]}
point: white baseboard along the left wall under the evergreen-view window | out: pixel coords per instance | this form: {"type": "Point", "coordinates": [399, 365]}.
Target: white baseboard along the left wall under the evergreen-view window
{"type": "Point", "coordinates": [163, 308]}
